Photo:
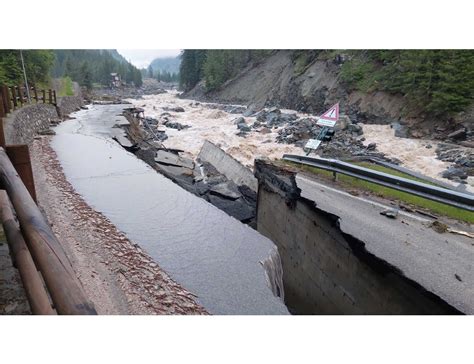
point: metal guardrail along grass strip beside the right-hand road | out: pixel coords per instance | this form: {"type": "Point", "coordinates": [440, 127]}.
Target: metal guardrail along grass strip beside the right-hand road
{"type": "Point", "coordinates": [434, 193]}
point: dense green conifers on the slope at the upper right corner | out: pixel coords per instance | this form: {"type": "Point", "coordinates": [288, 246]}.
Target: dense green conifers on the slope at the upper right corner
{"type": "Point", "coordinates": [440, 82]}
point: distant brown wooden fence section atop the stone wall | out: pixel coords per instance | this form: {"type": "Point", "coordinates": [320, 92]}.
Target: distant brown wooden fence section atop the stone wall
{"type": "Point", "coordinates": [13, 97]}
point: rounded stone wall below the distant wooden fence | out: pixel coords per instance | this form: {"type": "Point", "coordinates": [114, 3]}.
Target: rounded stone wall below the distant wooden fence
{"type": "Point", "coordinates": [23, 124]}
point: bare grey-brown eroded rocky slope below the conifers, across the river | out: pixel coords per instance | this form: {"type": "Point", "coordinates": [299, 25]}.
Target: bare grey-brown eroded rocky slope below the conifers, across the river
{"type": "Point", "coordinates": [313, 84]}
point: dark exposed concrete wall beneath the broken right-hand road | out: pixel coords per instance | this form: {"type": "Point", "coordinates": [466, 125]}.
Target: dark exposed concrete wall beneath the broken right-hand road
{"type": "Point", "coordinates": [324, 270]}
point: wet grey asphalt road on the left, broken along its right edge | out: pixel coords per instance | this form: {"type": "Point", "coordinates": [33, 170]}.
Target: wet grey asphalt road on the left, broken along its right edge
{"type": "Point", "coordinates": [208, 252]}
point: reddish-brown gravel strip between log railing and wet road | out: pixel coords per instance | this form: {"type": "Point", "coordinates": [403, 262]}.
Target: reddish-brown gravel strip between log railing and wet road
{"type": "Point", "coordinates": [117, 275]}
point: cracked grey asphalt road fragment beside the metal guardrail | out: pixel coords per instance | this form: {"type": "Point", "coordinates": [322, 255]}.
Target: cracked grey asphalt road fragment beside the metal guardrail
{"type": "Point", "coordinates": [442, 263]}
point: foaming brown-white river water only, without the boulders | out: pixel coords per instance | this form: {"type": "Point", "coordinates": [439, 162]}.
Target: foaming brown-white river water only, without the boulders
{"type": "Point", "coordinates": [217, 126]}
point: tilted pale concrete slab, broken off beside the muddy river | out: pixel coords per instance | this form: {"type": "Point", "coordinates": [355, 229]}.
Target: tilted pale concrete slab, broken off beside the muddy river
{"type": "Point", "coordinates": [227, 165]}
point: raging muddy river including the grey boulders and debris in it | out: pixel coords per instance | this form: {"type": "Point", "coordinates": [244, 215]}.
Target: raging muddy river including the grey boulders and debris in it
{"type": "Point", "coordinates": [245, 135]}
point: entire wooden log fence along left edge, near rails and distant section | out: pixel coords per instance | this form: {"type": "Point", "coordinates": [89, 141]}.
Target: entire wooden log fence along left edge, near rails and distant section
{"type": "Point", "coordinates": [34, 248]}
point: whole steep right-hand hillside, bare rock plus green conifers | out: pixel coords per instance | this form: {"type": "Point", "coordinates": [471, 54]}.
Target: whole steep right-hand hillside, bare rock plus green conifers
{"type": "Point", "coordinates": [422, 93]}
